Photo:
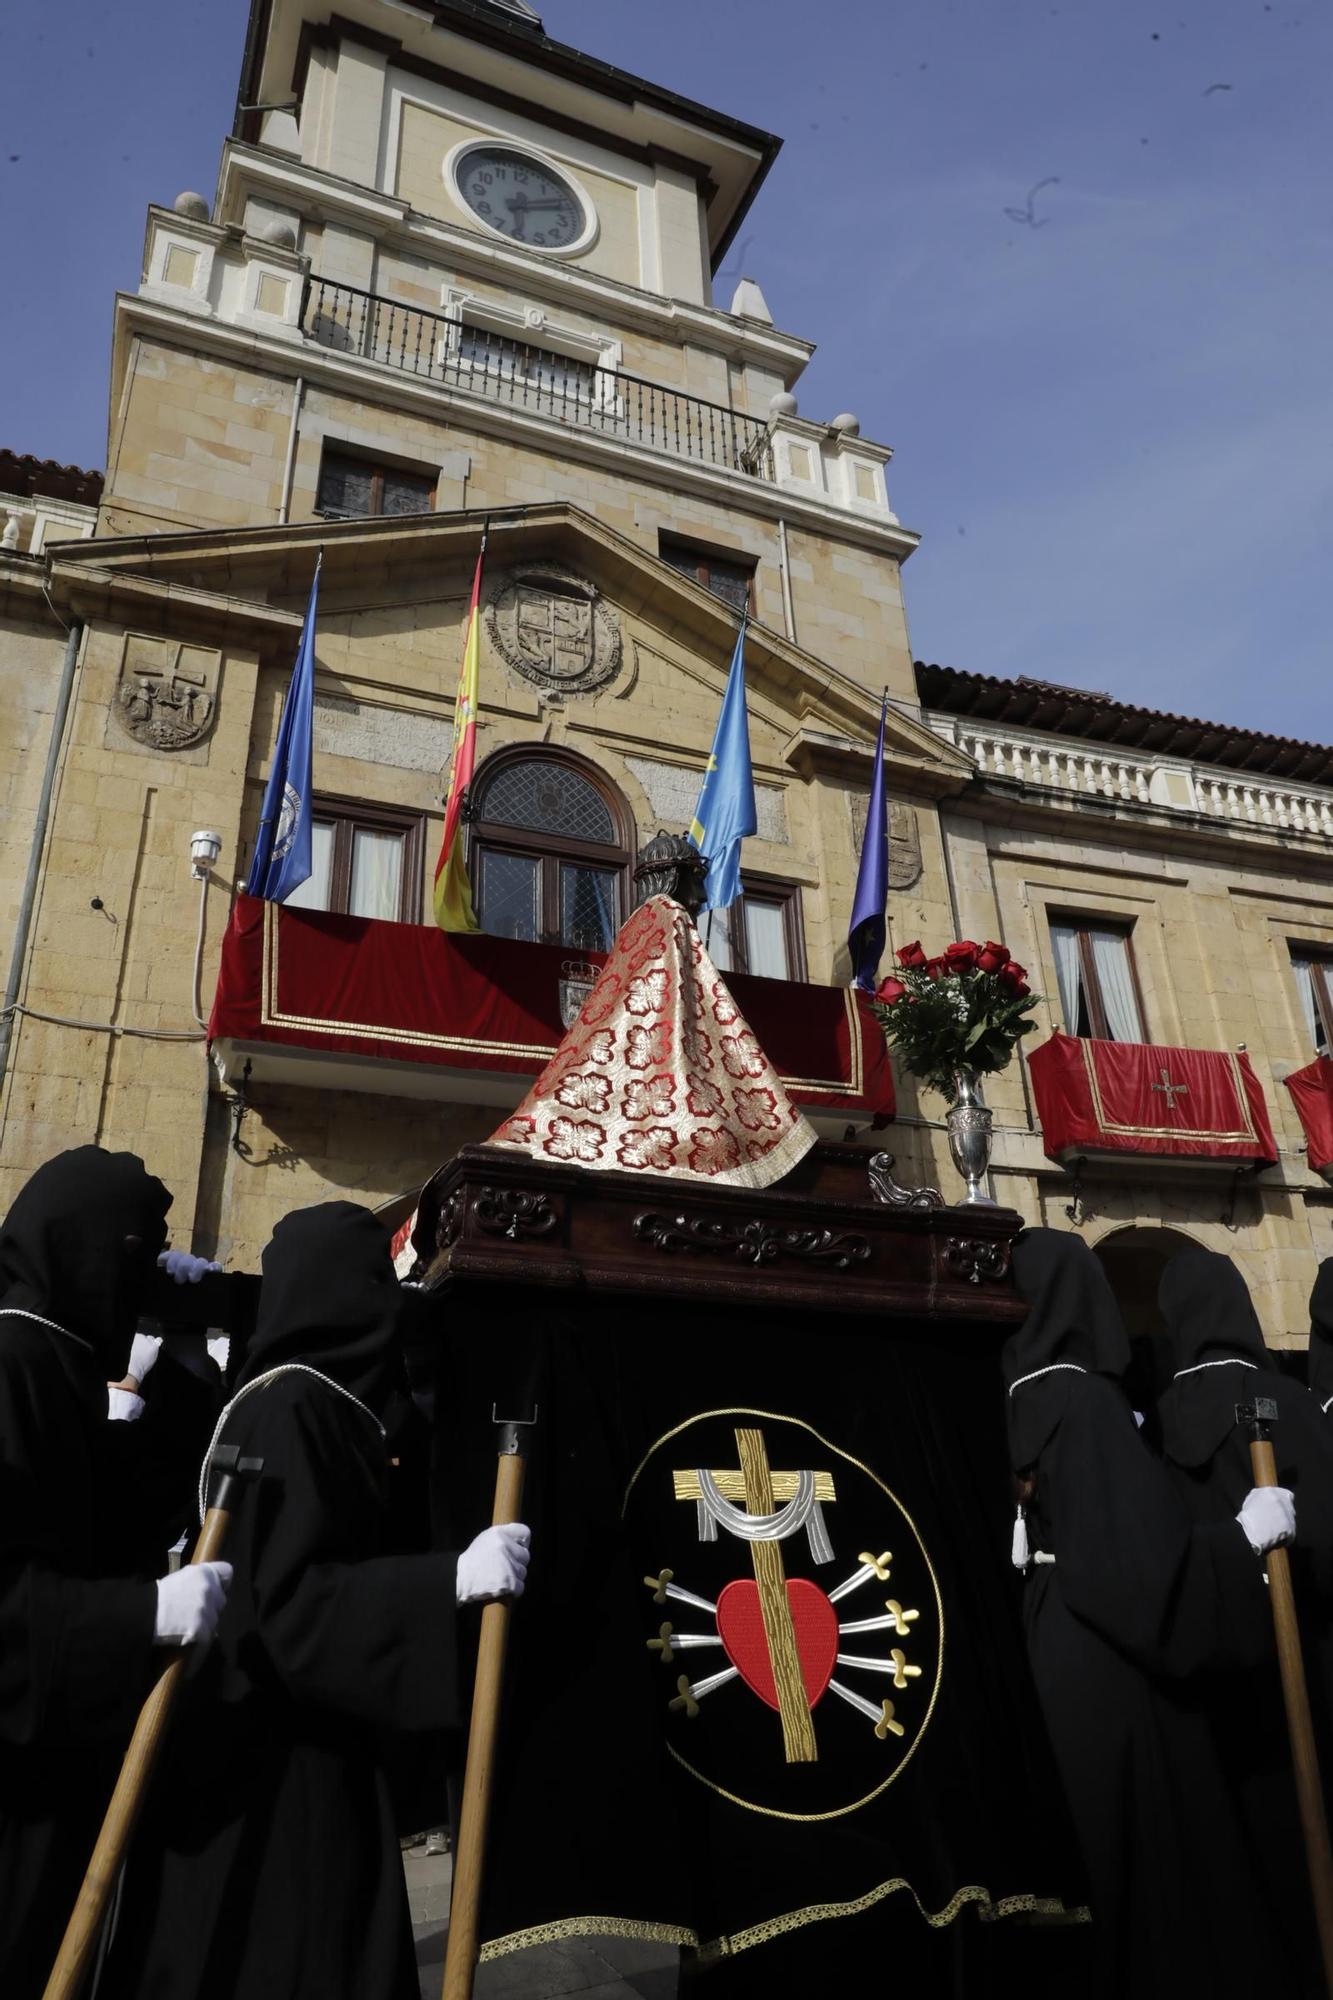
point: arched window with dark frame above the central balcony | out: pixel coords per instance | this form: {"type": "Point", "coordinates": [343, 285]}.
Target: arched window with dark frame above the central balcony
{"type": "Point", "coordinates": [551, 851]}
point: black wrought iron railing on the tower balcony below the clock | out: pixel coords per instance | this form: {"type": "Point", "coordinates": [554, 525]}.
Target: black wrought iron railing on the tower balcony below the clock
{"type": "Point", "coordinates": [617, 405]}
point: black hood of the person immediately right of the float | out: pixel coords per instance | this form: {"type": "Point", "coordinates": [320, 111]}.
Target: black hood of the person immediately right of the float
{"type": "Point", "coordinates": [1072, 1317]}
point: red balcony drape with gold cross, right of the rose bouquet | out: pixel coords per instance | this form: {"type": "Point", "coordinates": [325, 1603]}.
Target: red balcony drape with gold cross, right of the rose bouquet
{"type": "Point", "coordinates": [1136, 1097]}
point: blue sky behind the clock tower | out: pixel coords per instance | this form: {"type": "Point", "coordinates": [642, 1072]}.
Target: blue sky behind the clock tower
{"type": "Point", "coordinates": [1110, 421]}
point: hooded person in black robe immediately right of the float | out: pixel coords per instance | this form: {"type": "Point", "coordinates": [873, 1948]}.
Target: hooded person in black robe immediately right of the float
{"type": "Point", "coordinates": [1136, 1603]}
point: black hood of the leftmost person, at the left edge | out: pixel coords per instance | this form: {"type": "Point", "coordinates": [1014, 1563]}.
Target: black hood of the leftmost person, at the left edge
{"type": "Point", "coordinates": [63, 1249]}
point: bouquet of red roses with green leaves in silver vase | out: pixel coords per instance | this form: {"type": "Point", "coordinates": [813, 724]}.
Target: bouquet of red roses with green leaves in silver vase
{"type": "Point", "coordinates": [962, 1011]}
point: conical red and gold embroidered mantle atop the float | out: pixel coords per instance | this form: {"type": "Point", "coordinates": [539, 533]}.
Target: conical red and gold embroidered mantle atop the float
{"type": "Point", "coordinates": [661, 1073]}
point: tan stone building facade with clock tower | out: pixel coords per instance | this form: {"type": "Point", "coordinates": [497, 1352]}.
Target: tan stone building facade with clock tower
{"type": "Point", "coordinates": [459, 277]}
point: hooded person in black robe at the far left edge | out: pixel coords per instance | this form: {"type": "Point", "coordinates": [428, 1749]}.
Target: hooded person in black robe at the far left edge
{"type": "Point", "coordinates": [75, 1627]}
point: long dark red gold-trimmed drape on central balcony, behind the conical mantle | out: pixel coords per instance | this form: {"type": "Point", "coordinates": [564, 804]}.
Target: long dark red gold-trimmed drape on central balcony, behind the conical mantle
{"type": "Point", "coordinates": [411, 993]}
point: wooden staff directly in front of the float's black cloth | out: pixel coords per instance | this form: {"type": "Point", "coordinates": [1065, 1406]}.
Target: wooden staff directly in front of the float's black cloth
{"type": "Point", "coordinates": [483, 1733]}
